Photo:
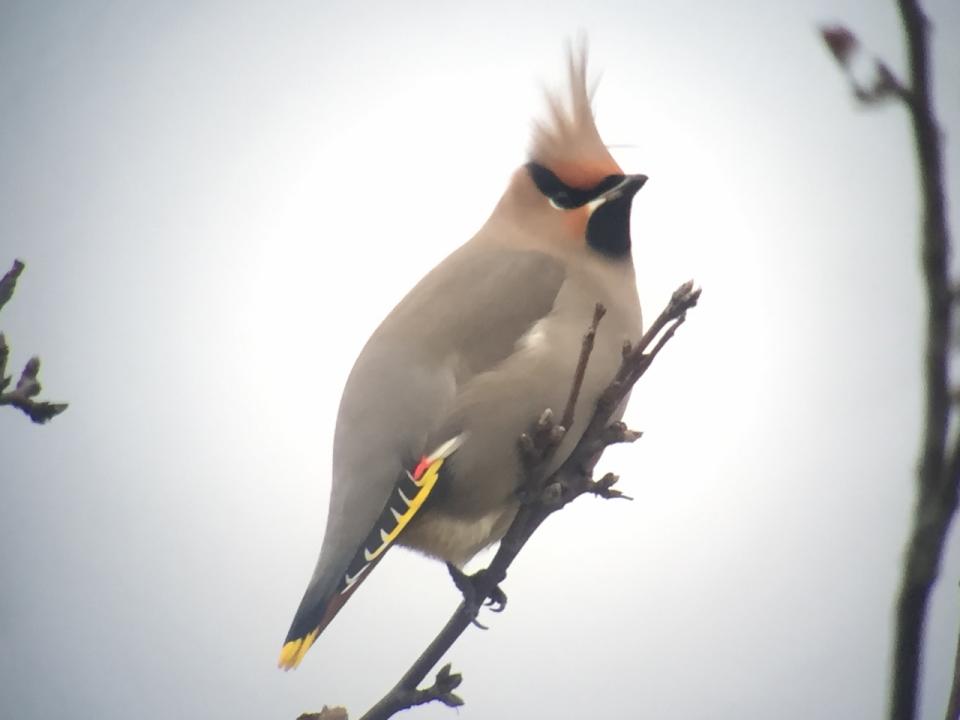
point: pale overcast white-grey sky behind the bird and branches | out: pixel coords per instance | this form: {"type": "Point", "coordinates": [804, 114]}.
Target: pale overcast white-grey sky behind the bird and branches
{"type": "Point", "coordinates": [218, 202]}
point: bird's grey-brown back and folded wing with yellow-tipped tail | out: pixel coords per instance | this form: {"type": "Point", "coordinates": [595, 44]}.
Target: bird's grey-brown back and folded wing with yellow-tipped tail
{"type": "Point", "coordinates": [463, 318]}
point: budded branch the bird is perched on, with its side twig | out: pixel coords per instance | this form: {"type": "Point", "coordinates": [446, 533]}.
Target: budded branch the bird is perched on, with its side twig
{"type": "Point", "coordinates": [541, 499]}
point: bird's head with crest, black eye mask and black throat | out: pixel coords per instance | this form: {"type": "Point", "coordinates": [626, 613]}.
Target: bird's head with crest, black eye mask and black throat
{"type": "Point", "coordinates": [572, 191]}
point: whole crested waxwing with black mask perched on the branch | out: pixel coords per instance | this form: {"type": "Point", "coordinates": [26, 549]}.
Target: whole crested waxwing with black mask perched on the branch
{"type": "Point", "coordinates": [425, 446]}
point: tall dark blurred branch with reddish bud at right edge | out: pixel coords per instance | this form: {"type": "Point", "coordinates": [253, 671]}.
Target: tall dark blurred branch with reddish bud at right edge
{"type": "Point", "coordinates": [938, 472]}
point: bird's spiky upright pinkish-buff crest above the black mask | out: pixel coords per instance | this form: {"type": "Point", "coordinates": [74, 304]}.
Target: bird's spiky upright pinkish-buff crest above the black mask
{"type": "Point", "coordinates": [567, 141]}
